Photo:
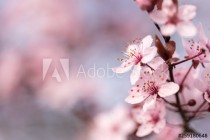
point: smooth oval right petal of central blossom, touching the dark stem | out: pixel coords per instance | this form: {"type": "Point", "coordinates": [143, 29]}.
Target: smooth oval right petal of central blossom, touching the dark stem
{"type": "Point", "coordinates": [168, 89]}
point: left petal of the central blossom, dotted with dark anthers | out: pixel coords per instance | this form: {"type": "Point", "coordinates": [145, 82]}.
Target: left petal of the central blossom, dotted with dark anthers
{"type": "Point", "coordinates": [135, 96]}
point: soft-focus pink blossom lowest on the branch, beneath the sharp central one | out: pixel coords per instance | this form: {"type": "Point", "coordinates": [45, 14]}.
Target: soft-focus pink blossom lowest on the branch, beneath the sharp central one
{"type": "Point", "coordinates": [152, 120]}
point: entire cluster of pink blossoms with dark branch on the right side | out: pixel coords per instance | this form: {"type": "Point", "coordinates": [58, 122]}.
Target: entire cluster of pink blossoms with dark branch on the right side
{"type": "Point", "coordinates": [159, 81]}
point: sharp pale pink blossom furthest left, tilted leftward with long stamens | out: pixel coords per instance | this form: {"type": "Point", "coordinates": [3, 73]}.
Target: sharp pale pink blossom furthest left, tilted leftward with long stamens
{"type": "Point", "coordinates": [137, 53]}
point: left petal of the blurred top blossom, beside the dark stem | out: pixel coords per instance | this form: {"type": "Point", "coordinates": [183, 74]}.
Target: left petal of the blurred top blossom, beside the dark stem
{"type": "Point", "coordinates": [158, 17]}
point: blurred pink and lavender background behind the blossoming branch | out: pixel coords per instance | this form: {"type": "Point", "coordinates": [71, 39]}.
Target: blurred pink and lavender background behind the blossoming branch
{"type": "Point", "coordinates": [89, 33]}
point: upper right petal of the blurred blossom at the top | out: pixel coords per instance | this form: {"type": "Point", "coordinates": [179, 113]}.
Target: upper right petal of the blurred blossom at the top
{"type": "Point", "coordinates": [187, 12]}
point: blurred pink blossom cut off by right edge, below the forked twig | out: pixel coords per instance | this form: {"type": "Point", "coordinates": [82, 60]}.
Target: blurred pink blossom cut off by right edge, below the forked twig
{"type": "Point", "coordinates": [204, 84]}
